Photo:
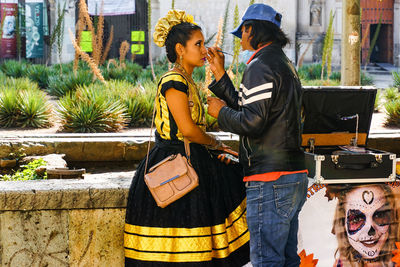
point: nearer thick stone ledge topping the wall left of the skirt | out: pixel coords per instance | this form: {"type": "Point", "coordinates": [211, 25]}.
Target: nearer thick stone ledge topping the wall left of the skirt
{"type": "Point", "coordinates": [64, 194]}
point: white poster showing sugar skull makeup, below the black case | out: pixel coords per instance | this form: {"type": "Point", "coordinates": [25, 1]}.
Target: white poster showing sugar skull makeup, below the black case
{"type": "Point", "coordinates": [351, 224]}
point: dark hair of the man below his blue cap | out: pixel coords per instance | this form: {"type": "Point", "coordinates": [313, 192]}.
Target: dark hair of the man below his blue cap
{"type": "Point", "coordinates": [264, 31]}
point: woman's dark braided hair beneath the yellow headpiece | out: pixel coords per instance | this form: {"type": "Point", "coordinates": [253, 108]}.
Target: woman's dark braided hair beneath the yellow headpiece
{"type": "Point", "coordinates": [180, 33]}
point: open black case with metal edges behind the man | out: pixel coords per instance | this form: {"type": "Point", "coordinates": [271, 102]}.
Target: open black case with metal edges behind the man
{"type": "Point", "coordinates": [335, 144]}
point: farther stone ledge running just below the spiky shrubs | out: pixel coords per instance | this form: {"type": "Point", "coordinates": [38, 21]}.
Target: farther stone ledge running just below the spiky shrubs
{"type": "Point", "coordinates": [89, 147]}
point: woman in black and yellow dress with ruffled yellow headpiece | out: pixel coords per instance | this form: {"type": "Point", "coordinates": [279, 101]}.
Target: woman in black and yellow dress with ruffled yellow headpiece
{"type": "Point", "coordinates": [207, 226]}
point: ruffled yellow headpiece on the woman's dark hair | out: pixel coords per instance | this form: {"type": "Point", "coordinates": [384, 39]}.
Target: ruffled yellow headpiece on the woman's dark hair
{"type": "Point", "coordinates": [164, 25]}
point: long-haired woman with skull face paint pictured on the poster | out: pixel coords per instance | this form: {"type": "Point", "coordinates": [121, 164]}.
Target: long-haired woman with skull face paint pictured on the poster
{"type": "Point", "coordinates": [365, 226]}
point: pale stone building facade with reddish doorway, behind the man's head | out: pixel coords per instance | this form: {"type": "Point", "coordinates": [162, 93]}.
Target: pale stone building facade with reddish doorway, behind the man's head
{"type": "Point", "coordinates": [305, 22]}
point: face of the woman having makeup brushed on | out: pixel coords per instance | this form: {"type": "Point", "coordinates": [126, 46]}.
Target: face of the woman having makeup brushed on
{"type": "Point", "coordinates": [195, 52]}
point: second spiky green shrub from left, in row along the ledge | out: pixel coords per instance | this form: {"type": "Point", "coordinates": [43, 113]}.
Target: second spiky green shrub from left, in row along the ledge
{"type": "Point", "coordinates": [90, 109]}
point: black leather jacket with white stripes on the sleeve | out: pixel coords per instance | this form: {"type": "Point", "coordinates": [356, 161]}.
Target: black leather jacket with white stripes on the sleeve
{"type": "Point", "coordinates": [265, 113]}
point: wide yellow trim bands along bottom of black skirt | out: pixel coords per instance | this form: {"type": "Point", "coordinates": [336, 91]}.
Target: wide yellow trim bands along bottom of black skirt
{"type": "Point", "coordinates": [187, 244]}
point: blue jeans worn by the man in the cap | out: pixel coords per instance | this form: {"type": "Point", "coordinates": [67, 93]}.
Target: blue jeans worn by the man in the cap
{"type": "Point", "coordinates": [272, 217]}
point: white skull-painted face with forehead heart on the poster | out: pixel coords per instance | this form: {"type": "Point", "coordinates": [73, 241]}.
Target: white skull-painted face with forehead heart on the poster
{"type": "Point", "coordinates": [367, 221]}
